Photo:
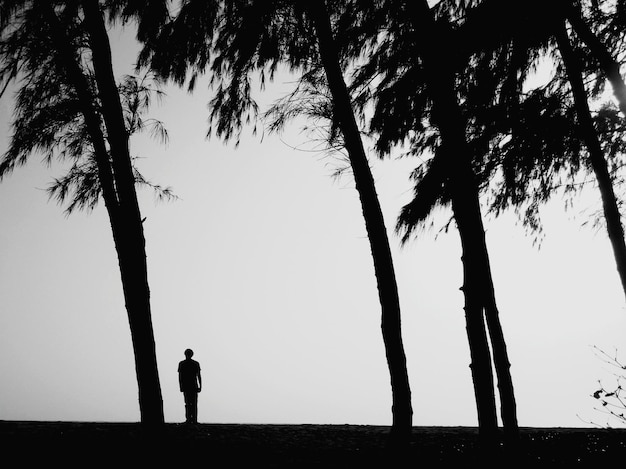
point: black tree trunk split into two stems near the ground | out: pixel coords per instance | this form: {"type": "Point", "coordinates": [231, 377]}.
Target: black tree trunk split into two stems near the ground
{"type": "Point", "coordinates": [478, 288]}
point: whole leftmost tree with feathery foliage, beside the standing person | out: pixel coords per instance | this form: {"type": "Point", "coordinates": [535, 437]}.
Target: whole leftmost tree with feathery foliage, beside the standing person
{"type": "Point", "coordinates": [68, 106]}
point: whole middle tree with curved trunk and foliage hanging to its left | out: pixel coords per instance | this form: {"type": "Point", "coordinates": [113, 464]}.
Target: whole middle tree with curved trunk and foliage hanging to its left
{"type": "Point", "coordinates": [257, 36]}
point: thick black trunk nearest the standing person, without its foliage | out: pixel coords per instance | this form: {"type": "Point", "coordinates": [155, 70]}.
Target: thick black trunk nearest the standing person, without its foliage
{"type": "Point", "coordinates": [131, 242]}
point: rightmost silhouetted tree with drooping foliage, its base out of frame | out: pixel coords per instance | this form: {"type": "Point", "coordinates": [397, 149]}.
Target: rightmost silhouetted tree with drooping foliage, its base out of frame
{"type": "Point", "coordinates": [585, 55]}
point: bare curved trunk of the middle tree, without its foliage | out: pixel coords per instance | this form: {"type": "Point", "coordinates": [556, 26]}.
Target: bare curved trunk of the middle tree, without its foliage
{"type": "Point", "coordinates": [374, 222]}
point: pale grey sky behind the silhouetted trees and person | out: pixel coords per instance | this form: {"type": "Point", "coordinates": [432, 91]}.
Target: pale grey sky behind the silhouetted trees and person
{"type": "Point", "coordinates": [262, 266]}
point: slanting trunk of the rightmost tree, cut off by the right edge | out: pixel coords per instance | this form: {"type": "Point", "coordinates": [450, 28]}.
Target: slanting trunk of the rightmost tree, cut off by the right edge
{"type": "Point", "coordinates": [596, 157]}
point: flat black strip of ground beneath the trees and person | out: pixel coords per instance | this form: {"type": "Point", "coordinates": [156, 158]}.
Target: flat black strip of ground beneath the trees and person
{"type": "Point", "coordinates": [77, 444]}
